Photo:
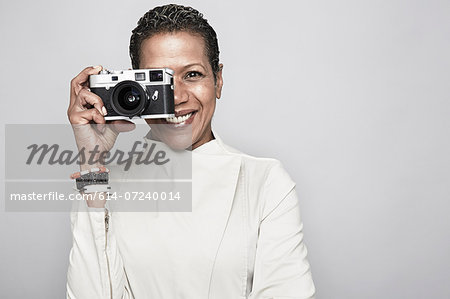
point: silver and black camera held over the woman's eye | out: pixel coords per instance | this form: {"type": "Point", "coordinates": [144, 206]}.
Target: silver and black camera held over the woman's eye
{"type": "Point", "coordinates": [142, 93]}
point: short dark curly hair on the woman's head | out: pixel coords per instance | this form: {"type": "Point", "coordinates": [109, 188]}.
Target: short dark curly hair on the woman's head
{"type": "Point", "coordinates": [172, 18]}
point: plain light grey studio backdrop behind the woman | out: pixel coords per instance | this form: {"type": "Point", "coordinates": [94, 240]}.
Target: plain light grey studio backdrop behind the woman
{"type": "Point", "coordinates": [352, 96]}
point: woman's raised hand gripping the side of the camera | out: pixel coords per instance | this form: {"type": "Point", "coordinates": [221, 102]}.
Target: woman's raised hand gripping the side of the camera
{"type": "Point", "coordinates": [87, 113]}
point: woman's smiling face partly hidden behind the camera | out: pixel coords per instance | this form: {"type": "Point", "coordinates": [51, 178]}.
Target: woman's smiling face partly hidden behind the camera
{"type": "Point", "coordinates": [195, 89]}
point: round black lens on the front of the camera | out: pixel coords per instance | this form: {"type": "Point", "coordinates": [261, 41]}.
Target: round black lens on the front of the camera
{"type": "Point", "coordinates": [128, 98]}
